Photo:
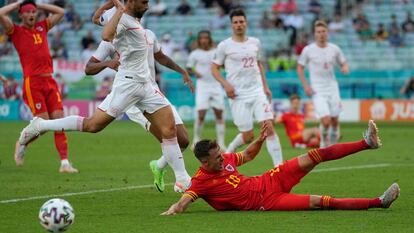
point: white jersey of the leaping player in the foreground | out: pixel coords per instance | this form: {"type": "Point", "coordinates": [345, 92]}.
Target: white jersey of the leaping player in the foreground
{"type": "Point", "coordinates": [131, 43]}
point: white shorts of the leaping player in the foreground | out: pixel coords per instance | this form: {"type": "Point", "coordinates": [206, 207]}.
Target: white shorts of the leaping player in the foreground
{"type": "Point", "coordinates": [127, 93]}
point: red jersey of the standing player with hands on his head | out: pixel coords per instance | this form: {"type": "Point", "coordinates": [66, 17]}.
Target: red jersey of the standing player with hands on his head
{"type": "Point", "coordinates": [33, 48]}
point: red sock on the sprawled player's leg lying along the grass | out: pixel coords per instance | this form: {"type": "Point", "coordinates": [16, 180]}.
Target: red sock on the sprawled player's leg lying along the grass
{"type": "Point", "coordinates": [328, 202]}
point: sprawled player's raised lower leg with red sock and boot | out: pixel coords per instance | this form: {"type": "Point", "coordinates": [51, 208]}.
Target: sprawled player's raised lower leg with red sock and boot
{"type": "Point", "coordinates": [371, 141]}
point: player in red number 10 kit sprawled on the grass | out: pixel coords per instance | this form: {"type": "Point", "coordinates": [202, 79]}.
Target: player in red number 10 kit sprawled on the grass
{"type": "Point", "coordinates": [220, 184]}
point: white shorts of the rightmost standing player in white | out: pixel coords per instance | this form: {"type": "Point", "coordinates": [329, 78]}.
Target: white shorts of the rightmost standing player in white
{"type": "Point", "coordinates": [326, 105]}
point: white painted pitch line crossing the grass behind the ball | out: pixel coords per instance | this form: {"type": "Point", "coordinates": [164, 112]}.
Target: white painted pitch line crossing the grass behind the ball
{"type": "Point", "coordinates": [151, 185]}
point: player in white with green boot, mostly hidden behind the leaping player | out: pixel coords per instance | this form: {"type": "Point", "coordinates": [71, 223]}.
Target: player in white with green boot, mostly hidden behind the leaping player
{"type": "Point", "coordinates": [98, 62]}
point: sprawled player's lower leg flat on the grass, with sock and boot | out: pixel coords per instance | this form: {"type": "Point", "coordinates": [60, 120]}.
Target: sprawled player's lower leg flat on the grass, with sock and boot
{"type": "Point", "coordinates": [384, 201]}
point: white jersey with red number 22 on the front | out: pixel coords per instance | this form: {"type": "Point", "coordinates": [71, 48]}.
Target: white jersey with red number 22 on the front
{"type": "Point", "coordinates": [240, 60]}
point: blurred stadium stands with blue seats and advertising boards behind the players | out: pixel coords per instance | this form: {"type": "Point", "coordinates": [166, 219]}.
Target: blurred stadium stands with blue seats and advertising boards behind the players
{"type": "Point", "coordinates": [381, 59]}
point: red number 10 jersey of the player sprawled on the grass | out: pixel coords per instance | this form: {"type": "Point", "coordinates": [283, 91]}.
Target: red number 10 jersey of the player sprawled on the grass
{"type": "Point", "coordinates": [227, 189]}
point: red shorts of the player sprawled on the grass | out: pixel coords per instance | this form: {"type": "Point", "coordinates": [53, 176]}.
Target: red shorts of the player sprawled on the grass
{"type": "Point", "coordinates": [279, 182]}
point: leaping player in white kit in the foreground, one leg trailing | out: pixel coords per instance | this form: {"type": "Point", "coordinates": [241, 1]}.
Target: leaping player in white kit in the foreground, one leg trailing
{"type": "Point", "coordinates": [132, 87]}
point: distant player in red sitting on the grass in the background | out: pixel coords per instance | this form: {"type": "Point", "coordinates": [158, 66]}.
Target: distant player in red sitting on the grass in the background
{"type": "Point", "coordinates": [294, 122]}
